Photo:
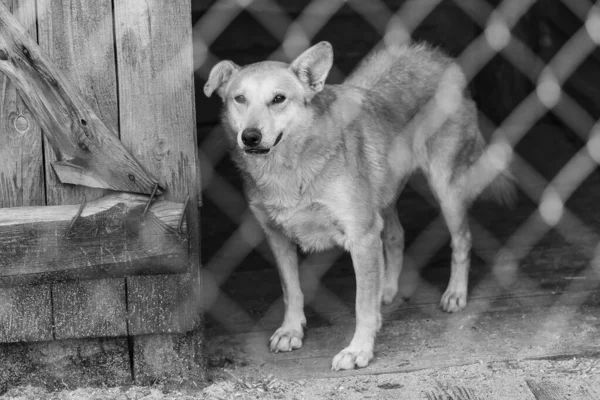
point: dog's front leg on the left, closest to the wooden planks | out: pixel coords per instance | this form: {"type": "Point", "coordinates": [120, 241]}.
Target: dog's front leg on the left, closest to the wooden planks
{"type": "Point", "coordinates": [289, 336]}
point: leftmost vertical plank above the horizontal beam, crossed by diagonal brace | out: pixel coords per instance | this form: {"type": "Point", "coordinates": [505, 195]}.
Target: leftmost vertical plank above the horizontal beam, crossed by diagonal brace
{"type": "Point", "coordinates": [21, 166]}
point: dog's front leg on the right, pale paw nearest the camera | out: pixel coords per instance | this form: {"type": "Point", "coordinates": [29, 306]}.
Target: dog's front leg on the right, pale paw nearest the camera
{"type": "Point", "coordinates": [367, 257]}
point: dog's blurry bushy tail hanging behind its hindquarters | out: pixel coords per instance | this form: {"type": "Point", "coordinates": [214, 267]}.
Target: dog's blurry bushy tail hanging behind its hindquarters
{"type": "Point", "coordinates": [490, 178]}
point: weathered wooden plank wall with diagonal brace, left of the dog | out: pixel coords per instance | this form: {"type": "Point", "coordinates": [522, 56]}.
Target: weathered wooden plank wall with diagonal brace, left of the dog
{"type": "Point", "coordinates": [80, 256]}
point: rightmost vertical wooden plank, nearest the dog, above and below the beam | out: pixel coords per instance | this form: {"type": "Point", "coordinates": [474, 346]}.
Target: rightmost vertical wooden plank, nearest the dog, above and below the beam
{"type": "Point", "coordinates": [156, 99]}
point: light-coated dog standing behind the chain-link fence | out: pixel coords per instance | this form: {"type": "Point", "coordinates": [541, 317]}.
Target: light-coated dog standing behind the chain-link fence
{"type": "Point", "coordinates": [323, 166]}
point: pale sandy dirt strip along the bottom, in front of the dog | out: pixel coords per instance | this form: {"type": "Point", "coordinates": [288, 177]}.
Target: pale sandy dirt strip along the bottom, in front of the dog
{"type": "Point", "coordinates": [580, 377]}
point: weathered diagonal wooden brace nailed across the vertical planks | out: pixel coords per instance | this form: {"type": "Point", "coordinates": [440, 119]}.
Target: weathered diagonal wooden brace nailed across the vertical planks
{"type": "Point", "coordinates": [90, 152]}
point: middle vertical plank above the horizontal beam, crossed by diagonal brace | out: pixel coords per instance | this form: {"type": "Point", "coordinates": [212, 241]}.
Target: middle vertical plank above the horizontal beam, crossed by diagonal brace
{"type": "Point", "coordinates": [67, 31]}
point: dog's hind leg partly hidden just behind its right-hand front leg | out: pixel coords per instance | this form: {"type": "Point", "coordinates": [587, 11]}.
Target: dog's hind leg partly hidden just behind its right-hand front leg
{"type": "Point", "coordinates": [393, 245]}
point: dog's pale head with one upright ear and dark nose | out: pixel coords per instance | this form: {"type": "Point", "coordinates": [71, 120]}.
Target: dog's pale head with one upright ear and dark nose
{"type": "Point", "coordinates": [266, 101]}
